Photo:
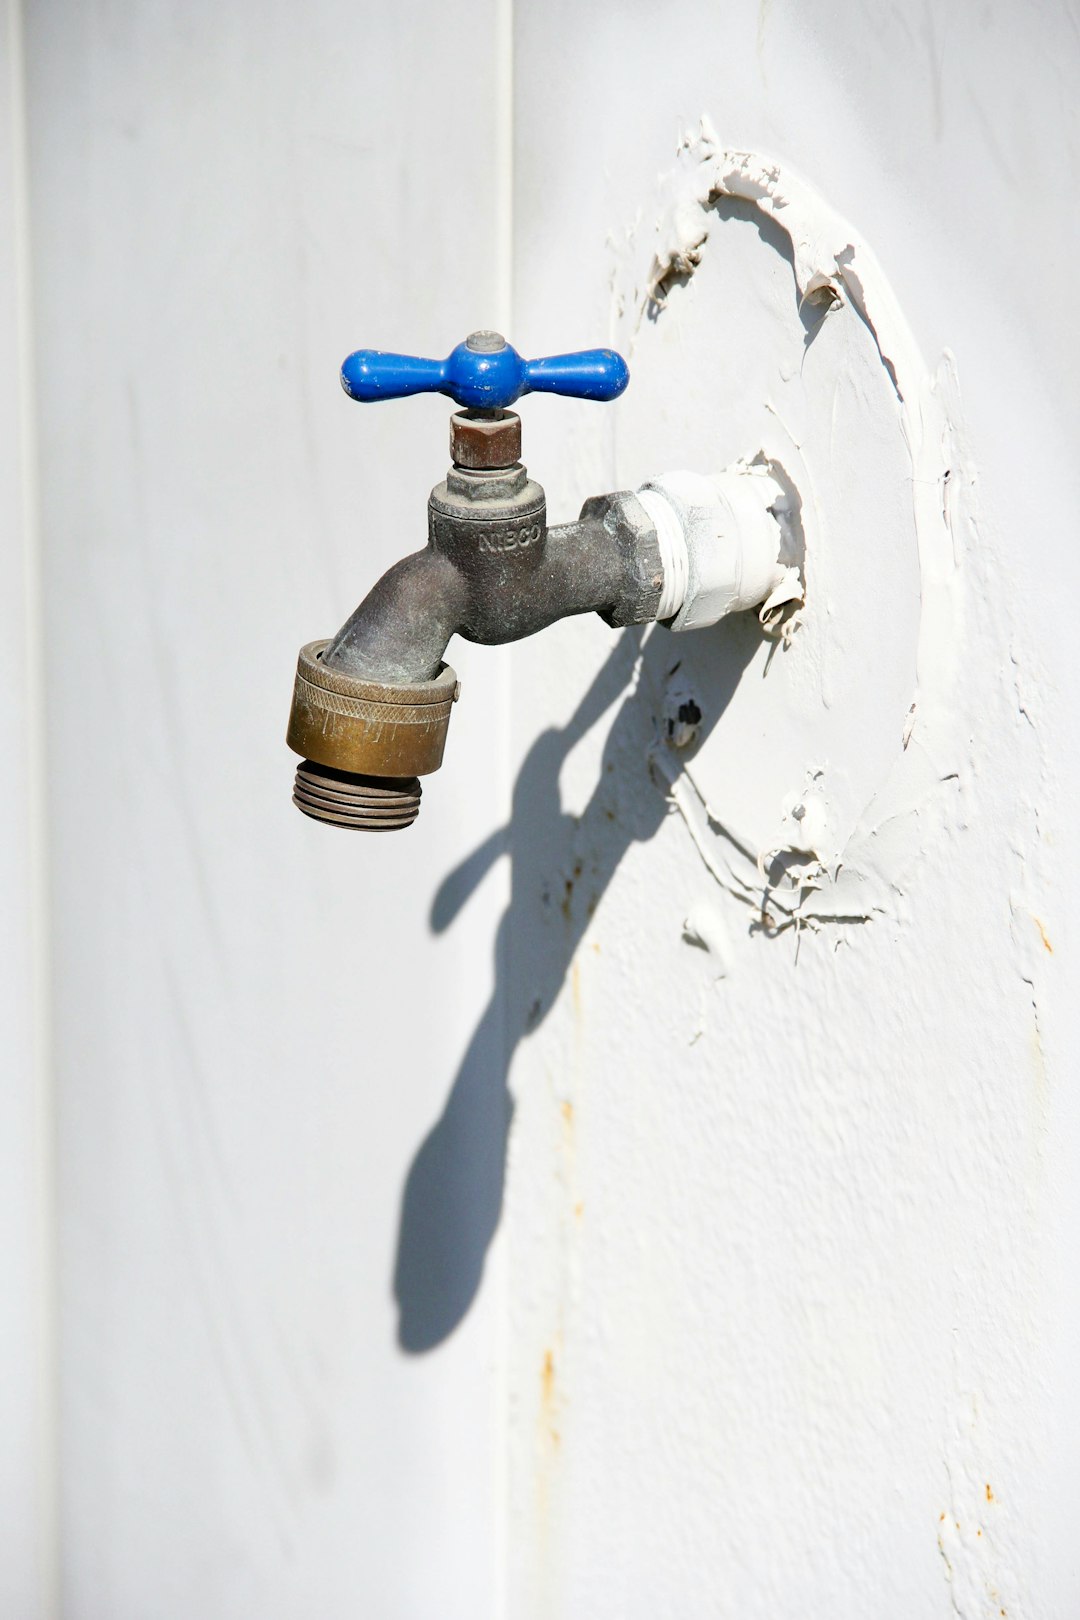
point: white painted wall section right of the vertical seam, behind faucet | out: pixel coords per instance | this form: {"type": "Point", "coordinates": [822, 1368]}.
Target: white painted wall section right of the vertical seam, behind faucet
{"type": "Point", "coordinates": [791, 1221]}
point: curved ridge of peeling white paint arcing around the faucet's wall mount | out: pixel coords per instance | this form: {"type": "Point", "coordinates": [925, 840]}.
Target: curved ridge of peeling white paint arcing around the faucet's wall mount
{"type": "Point", "coordinates": [836, 266]}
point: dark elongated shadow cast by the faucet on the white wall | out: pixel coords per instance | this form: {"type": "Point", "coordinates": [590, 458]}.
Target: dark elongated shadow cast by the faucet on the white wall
{"type": "Point", "coordinates": [559, 869]}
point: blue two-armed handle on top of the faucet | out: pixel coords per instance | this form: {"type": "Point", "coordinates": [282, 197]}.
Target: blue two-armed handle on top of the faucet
{"type": "Point", "coordinates": [485, 373]}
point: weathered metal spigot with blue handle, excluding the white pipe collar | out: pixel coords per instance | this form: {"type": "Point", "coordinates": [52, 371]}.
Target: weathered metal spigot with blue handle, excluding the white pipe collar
{"type": "Point", "coordinates": [373, 706]}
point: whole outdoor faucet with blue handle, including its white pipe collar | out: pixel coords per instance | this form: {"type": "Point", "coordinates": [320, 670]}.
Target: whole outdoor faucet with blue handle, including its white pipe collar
{"type": "Point", "coordinates": [372, 707]}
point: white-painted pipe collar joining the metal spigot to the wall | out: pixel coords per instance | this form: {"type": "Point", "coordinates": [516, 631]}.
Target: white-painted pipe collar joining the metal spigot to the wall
{"type": "Point", "coordinates": [720, 542]}
